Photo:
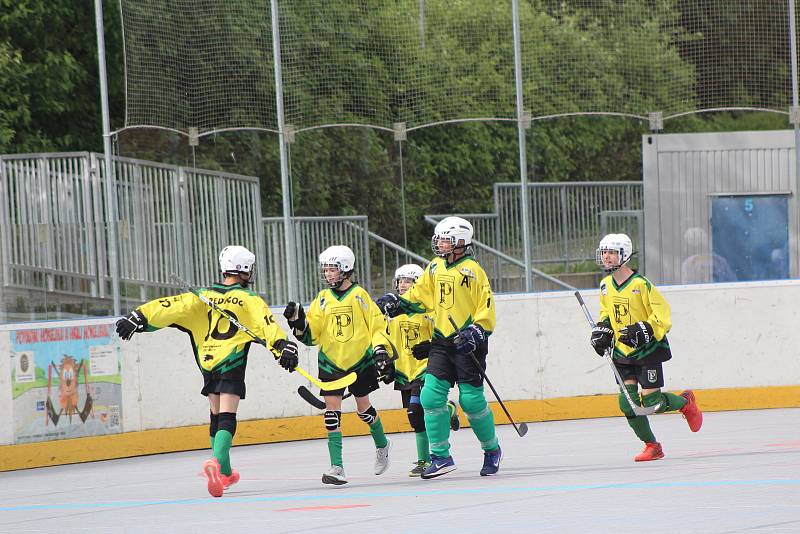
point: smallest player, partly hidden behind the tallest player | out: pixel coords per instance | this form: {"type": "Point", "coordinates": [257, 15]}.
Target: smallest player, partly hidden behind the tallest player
{"type": "Point", "coordinates": [411, 335]}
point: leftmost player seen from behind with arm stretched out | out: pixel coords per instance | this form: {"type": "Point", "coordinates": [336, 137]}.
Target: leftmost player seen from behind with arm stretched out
{"type": "Point", "coordinates": [219, 347]}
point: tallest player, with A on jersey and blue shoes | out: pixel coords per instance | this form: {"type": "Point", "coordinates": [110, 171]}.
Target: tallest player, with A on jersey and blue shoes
{"type": "Point", "coordinates": [454, 285]}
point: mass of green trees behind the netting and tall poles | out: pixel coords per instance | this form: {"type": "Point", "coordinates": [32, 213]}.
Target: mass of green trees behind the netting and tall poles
{"type": "Point", "coordinates": [346, 60]}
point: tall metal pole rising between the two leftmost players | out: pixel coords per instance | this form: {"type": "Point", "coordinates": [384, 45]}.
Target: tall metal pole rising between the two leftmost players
{"type": "Point", "coordinates": [286, 189]}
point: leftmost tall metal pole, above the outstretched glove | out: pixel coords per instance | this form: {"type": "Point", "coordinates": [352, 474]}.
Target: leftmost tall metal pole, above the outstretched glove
{"type": "Point", "coordinates": [111, 191]}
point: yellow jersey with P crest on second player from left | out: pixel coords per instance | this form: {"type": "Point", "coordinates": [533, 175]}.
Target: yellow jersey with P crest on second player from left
{"type": "Point", "coordinates": [345, 326]}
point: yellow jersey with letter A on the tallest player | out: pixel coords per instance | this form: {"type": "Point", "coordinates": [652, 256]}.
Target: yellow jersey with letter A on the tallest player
{"type": "Point", "coordinates": [460, 289]}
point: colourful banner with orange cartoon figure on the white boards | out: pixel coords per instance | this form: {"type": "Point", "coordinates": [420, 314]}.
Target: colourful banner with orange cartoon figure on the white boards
{"type": "Point", "coordinates": [66, 382]}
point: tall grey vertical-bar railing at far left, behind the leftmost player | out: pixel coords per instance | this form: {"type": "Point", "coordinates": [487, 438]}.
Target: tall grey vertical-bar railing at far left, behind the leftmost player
{"type": "Point", "coordinates": [170, 219]}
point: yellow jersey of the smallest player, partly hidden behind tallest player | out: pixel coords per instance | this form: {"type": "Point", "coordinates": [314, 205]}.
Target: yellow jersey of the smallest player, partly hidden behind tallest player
{"type": "Point", "coordinates": [404, 332]}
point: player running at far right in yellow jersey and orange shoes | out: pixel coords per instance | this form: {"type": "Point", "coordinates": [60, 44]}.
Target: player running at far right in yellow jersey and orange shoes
{"type": "Point", "coordinates": [634, 321]}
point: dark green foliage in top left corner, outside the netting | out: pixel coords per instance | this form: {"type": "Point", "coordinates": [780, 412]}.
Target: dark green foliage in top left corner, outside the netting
{"type": "Point", "coordinates": [48, 75]}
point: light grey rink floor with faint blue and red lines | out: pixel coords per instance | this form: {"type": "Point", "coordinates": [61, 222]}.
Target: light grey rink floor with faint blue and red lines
{"type": "Point", "coordinates": [740, 473]}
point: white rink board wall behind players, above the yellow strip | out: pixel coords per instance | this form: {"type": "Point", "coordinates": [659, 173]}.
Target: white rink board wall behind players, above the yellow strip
{"type": "Point", "coordinates": [724, 336]}
